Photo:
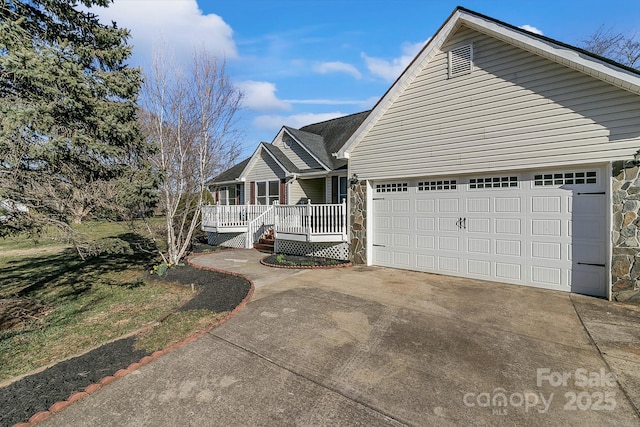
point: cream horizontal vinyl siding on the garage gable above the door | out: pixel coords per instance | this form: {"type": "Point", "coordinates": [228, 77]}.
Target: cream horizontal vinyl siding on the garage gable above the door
{"type": "Point", "coordinates": [514, 110]}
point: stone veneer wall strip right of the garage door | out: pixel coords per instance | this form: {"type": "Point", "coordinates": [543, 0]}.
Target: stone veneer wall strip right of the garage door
{"type": "Point", "coordinates": [625, 260]}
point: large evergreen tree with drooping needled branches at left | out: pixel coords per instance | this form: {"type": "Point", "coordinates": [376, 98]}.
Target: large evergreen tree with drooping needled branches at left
{"type": "Point", "coordinates": [69, 142]}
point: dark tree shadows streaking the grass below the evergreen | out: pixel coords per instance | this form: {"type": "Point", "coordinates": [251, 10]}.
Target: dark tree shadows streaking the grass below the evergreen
{"type": "Point", "coordinates": [66, 275]}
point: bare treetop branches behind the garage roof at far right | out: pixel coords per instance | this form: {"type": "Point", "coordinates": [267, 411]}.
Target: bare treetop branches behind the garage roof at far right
{"type": "Point", "coordinates": [619, 47]}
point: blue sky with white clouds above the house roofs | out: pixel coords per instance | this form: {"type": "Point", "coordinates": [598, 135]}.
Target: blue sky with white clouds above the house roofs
{"type": "Point", "coordinates": [302, 61]}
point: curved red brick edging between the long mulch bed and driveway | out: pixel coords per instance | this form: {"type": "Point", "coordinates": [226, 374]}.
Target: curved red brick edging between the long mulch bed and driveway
{"type": "Point", "coordinates": [92, 388]}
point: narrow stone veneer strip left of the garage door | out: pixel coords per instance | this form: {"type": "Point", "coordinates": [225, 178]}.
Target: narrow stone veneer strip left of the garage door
{"type": "Point", "coordinates": [358, 222]}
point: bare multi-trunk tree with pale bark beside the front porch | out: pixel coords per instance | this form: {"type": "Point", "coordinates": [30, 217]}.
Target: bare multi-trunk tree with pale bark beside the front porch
{"type": "Point", "coordinates": [190, 115]}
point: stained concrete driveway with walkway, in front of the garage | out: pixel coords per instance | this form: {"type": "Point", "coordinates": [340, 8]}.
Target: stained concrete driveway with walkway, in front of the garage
{"type": "Point", "coordinates": [376, 346]}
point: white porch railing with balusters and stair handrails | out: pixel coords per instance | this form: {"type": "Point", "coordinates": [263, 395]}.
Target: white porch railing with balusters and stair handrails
{"type": "Point", "coordinates": [313, 223]}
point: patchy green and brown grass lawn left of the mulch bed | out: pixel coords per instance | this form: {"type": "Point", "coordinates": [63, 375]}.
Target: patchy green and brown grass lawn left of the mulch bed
{"type": "Point", "coordinates": [67, 305]}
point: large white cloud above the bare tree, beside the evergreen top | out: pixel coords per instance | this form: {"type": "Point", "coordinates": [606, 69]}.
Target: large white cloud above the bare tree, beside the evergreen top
{"type": "Point", "coordinates": [177, 24]}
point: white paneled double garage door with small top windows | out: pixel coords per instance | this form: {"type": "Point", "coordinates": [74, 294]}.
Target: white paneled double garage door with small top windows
{"type": "Point", "coordinates": [546, 229]}
